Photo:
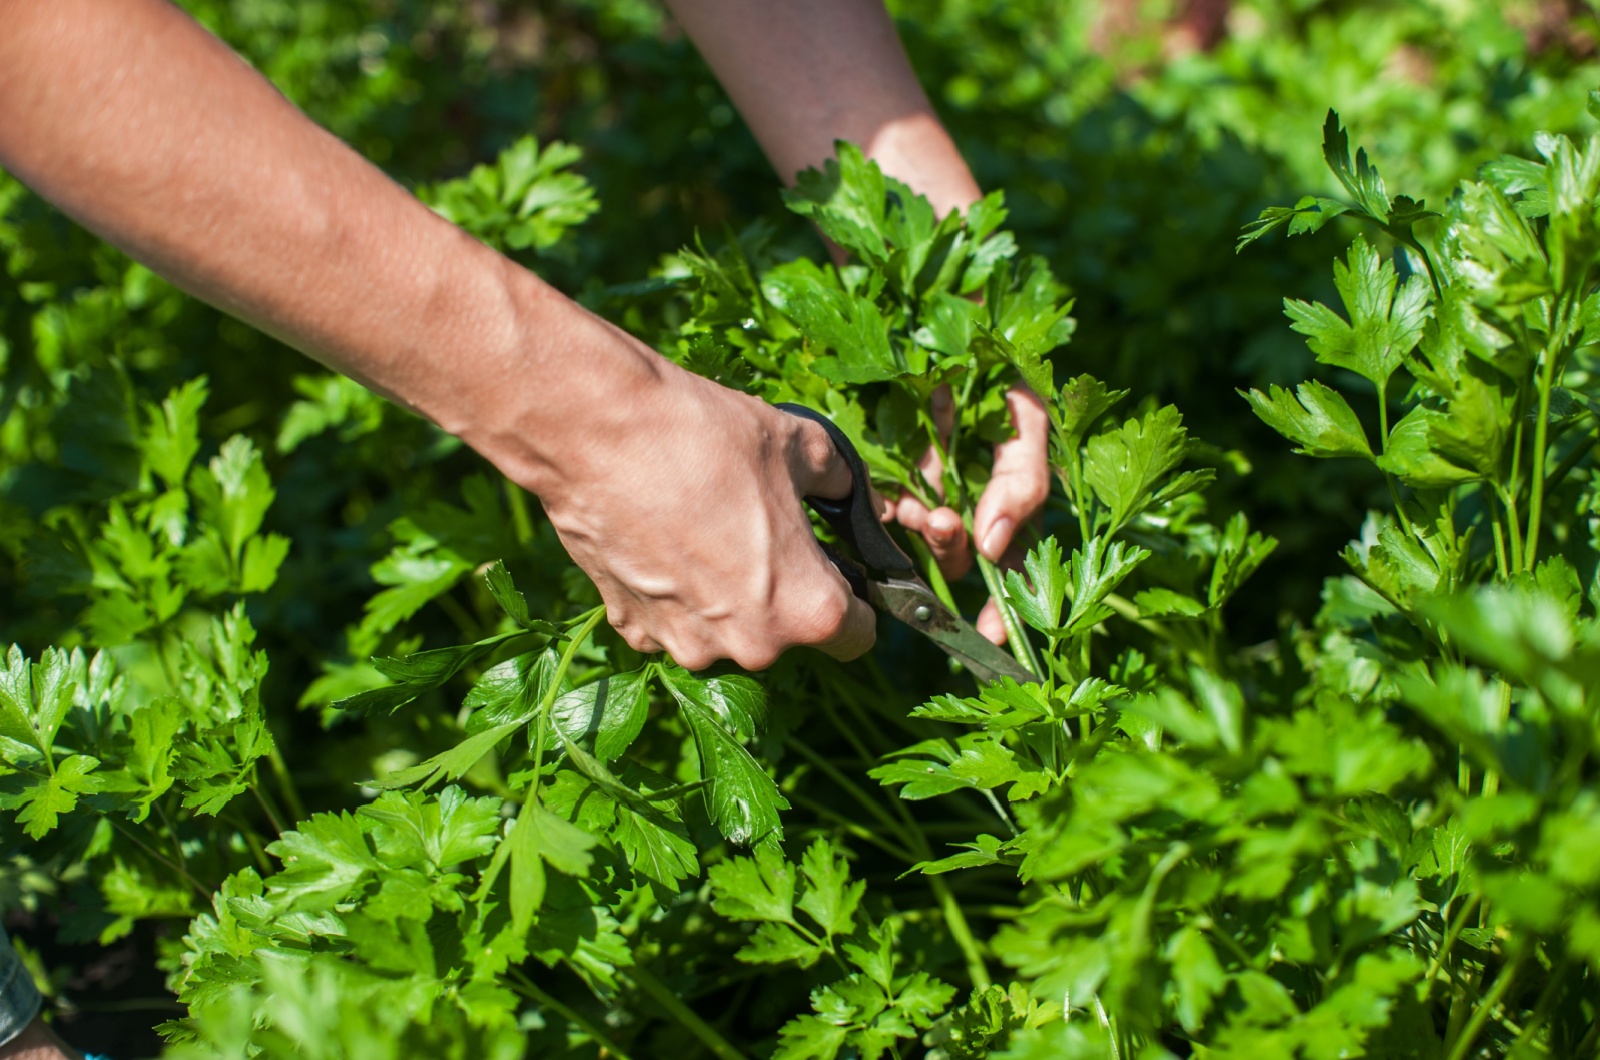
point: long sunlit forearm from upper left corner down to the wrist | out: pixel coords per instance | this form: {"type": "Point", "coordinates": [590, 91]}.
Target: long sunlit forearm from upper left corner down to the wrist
{"type": "Point", "coordinates": [140, 124]}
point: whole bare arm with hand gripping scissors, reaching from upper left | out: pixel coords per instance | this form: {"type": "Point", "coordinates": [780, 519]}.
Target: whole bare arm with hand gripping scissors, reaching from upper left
{"type": "Point", "coordinates": [146, 129]}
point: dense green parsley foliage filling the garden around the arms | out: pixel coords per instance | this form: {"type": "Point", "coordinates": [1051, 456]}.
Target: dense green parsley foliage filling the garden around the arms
{"type": "Point", "coordinates": [1268, 800]}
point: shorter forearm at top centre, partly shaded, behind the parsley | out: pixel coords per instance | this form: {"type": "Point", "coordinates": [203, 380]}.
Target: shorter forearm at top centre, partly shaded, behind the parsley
{"type": "Point", "coordinates": [809, 73]}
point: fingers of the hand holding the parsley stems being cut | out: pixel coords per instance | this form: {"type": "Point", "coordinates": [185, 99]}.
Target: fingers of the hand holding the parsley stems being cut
{"type": "Point", "coordinates": [1014, 497]}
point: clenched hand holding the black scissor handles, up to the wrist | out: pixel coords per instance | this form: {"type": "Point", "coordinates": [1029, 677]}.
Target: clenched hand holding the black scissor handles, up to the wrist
{"type": "Point", "coordinates": [682, 500]}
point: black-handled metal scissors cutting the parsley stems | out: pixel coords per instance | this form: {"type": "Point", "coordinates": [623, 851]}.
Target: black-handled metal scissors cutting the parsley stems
{"type": "Point", "coordinates": [887, 579]}
